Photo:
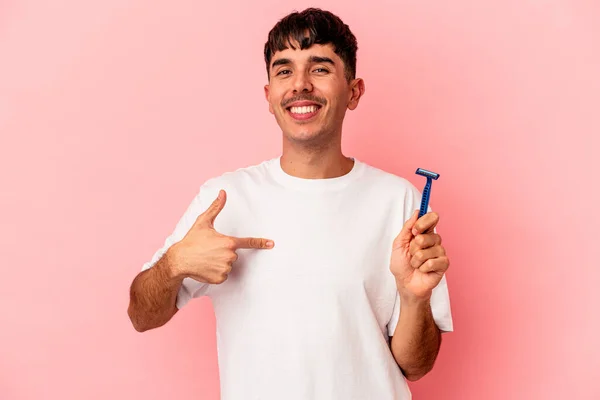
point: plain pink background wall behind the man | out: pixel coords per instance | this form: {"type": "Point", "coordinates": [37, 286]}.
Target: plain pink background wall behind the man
{"type": "Point", "coordinates": [113, 112]}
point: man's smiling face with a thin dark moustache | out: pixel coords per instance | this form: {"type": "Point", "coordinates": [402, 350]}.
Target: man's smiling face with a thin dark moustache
{"type": "Point", "coordinates": [308, 93]}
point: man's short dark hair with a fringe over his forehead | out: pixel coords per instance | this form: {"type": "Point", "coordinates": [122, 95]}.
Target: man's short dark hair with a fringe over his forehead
{"type": "Point", "coordinates": [311, 26]}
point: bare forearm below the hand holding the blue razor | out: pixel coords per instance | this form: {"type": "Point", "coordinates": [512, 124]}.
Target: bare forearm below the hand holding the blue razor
{"type": "Point", "coordinates": [416, 341]}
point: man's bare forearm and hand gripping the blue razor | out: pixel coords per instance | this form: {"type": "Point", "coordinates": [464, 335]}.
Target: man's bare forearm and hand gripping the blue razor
{"type": "Point", "coordinates": [418, 263]}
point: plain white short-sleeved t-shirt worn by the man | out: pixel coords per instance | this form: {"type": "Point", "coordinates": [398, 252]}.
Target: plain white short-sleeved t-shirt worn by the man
{"type": "Point", "coordinates": [309, 318]}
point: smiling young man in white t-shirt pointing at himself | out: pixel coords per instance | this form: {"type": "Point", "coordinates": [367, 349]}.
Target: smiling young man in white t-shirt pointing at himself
{"type": "Point", "coordinates": [325, 285]}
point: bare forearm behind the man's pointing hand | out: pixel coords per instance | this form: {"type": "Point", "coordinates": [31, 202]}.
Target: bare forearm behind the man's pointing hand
{"type": "Point", "coordinates": [153, 296]}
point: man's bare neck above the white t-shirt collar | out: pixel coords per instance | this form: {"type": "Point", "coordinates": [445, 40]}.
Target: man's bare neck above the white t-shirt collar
{"type": "Point", "coordinates": [322, 163]}
